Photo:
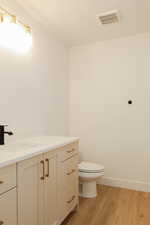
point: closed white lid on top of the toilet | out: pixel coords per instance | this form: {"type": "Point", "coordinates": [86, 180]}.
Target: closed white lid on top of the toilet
{"type": "Point", "coordinates": [90, 167]}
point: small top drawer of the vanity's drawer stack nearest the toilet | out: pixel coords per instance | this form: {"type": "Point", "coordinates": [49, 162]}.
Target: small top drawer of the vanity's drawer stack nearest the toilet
{"type": "Point", "coordinates": [68, 151]}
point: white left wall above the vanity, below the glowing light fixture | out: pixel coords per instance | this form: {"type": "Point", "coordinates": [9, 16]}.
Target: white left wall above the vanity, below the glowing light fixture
{"type": "Point", "coordinates": [34, 87]}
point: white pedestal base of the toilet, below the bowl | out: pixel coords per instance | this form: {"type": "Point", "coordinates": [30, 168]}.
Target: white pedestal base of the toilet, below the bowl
{"type": "Point", "coordinates": [88, 189]}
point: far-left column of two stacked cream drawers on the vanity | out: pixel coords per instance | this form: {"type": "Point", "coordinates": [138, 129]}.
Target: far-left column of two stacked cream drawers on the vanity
{"type": "Point", "coordinates": [8, 197]}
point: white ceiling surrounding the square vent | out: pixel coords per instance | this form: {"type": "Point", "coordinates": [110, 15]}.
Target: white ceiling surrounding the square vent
{"type": "Point", "coordinates": [75, 21]}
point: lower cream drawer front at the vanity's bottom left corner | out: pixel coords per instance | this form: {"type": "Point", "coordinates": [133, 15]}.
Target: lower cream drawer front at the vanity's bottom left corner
{"type": "Point", "coordinates": [8, 208]}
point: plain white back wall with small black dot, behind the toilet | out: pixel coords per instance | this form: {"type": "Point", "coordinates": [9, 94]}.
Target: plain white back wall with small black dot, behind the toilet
{"type": "Point", "coordinates": [103, 77]}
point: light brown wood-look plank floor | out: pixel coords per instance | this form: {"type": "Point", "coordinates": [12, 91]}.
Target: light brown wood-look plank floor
{"type": "Point", "coordinates": [113, 206]}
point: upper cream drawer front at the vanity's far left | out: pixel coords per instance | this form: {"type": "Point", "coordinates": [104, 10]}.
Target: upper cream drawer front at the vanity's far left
{"type": "Point", "coordinates": [7, 178]}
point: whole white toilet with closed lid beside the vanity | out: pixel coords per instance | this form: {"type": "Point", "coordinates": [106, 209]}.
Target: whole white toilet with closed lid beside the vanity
{"type": "Point", "coordinates": [88, 176]}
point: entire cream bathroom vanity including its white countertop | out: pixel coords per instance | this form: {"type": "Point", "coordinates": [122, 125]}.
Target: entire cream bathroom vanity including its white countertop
{"type": "Point", "coordinates": [39, 182]}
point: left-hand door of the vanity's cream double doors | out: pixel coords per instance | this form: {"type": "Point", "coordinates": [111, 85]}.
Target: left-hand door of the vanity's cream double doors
{"type": "Point", "coordinates": [30, 191]}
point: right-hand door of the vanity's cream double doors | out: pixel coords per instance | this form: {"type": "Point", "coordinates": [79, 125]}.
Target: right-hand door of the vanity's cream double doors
{"type": "Point", "coordinates": [50, 191]}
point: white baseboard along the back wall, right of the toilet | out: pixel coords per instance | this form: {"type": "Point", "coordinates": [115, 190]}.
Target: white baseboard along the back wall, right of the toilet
{"type": "Point", "coordinates": [128, 184]}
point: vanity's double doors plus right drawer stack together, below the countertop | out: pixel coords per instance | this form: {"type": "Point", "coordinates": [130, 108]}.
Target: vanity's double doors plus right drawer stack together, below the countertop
{"type": "Point", "coordinates": [48, 186]}
